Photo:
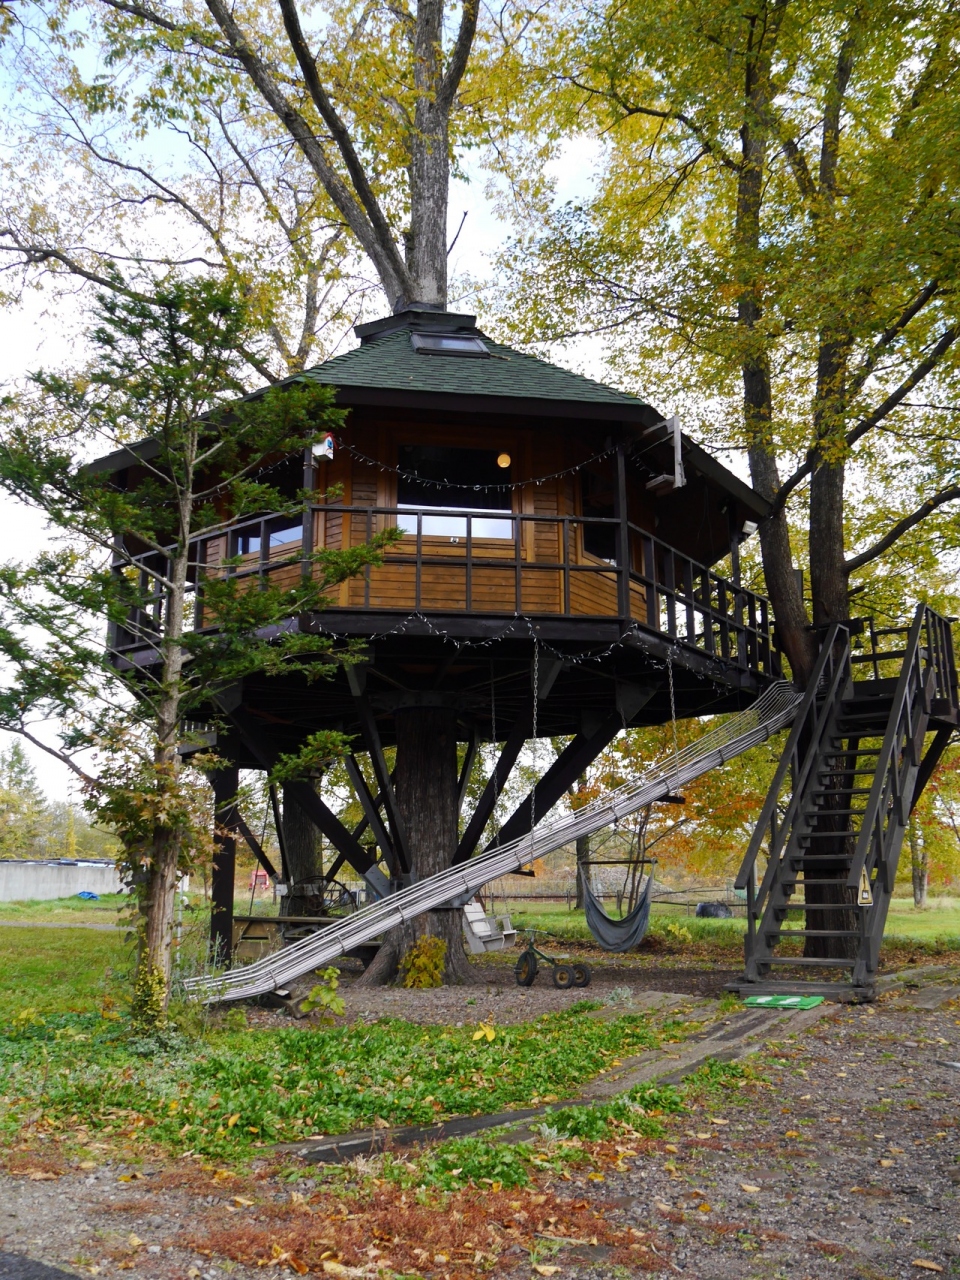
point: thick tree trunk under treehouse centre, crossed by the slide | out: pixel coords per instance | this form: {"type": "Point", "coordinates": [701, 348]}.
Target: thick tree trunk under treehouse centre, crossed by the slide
{"type": "Point", "coordinates": [427, 798]}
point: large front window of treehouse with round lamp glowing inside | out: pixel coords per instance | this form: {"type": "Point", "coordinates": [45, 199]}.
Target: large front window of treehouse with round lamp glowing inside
{"type": "Point", "coordinates": [459, 482]}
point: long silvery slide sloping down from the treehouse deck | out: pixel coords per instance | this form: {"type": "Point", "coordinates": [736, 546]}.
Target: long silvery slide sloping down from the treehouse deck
{"type": "Point", "coordinates": [770, 714]}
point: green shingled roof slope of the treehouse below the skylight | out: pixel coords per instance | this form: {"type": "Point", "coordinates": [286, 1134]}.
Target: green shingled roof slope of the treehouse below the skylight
{"type": "Point", "coordinates": [390, 363]}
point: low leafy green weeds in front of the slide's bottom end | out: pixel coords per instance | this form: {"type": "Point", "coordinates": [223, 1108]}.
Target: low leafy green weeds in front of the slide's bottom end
{"type": "Point", "coordinates": [235, 1091]}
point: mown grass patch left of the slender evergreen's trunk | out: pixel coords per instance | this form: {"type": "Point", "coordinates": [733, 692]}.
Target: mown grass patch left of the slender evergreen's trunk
{"type": "Point", "coordinates": [66, 971]}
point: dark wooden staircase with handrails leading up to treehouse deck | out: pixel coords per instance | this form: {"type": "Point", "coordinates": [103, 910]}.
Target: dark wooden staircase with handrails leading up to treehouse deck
{"type": "Point", "coordinates": [822, 862]}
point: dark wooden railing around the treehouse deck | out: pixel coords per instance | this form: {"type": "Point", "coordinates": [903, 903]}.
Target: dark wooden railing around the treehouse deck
{"type": "Point", "coordinates": [580, 568]}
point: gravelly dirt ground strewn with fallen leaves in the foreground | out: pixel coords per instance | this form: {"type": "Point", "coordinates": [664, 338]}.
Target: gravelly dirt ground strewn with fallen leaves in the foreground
{"type": "Point", "coordinates": [843, 1165]}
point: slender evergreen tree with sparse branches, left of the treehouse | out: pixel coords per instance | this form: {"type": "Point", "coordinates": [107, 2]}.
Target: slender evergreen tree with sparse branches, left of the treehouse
{"type": "Point", "coordinates": [167, 372]}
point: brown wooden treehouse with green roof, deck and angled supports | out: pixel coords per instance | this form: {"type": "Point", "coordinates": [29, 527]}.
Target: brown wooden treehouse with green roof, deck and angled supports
{"type": "Point", "coordinates": [555, 577]}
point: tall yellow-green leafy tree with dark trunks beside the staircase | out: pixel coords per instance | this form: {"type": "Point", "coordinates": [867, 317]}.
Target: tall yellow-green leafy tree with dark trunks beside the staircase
{"type": "Point", "coordinates": [772, 248]}
